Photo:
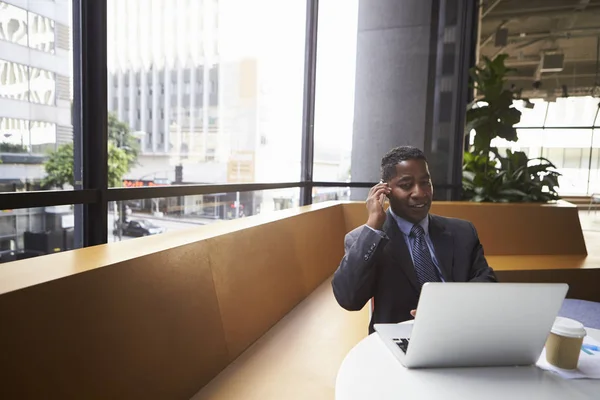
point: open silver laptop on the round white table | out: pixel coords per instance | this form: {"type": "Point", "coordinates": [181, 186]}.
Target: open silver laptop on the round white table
{"type": "Point", "coordinates": [476, 325]}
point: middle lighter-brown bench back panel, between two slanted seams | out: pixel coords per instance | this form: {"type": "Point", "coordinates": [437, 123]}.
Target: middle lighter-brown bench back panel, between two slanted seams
{"type": "Point", "coordinates": [258, 279]}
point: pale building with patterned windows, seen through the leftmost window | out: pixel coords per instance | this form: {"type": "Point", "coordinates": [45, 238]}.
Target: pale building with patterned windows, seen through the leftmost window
{"type": "Point", "coordinates": [35, 117]}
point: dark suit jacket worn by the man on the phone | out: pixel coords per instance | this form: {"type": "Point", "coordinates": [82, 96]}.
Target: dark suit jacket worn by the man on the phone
{"type": "Point", "coordinates": [381, 267]}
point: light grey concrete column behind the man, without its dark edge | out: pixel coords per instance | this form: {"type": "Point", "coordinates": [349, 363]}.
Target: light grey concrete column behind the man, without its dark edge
{"type": "Point", "coordinates": [392, 71]}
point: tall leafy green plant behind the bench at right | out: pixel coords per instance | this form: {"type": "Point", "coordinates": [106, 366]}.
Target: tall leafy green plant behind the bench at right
{"type": "Point", "coordinates": [489, 176]}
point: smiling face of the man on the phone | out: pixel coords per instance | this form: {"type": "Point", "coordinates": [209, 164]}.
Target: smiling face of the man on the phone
{"type": "Point", "coordinates": [412, 190]}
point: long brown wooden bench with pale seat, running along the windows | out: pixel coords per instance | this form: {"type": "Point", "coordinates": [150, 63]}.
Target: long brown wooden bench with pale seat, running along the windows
{"type": "Point", "coordinates": [246, 301]}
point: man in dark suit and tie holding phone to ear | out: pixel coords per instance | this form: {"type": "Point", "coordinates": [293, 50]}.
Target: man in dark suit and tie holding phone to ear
{"type": "Point", "coordinates": [396, 252]}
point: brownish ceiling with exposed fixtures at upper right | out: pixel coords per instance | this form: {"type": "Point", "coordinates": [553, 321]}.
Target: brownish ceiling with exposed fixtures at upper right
{"type": "Point", "coordinates": [540, 28]}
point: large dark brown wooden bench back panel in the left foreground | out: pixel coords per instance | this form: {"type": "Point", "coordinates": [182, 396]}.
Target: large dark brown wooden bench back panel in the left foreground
{"type": "Point", "coordinates": [146, 328]}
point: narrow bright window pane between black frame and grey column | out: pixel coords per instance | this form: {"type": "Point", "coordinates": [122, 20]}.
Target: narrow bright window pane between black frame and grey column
{"type": "Point", "coordinates": [334, 98]}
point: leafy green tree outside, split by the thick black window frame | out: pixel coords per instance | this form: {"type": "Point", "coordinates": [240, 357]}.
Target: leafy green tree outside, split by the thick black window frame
{"type": "Point", "coordinates": [59, 167]}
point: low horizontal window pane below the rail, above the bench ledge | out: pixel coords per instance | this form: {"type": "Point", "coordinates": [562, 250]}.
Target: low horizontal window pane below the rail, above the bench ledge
{"type": "Point", "coordinates": [155, 216]}
